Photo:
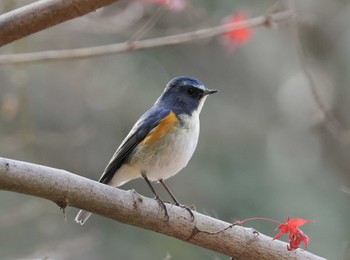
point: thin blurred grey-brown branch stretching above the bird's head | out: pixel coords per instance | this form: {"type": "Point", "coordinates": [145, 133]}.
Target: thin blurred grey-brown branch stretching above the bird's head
{"type": "Point", "coordinates": [55, 55]}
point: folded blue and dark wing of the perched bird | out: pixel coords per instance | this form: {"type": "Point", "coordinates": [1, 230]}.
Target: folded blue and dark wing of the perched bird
{"type": "Point", "coordinates": [147, 122]}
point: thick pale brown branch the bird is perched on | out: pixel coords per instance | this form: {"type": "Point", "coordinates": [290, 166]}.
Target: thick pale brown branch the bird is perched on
{"type": "Point", "coordinates": [67, 189]}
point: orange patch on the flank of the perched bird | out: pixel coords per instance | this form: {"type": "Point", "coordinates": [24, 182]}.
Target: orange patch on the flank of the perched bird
{"type": "Point", "coordinates": [164, 127]}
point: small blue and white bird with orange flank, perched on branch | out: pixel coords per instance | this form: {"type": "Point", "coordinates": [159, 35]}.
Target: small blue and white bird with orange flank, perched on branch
{"type": "Point", "coordinates": [161, 142]}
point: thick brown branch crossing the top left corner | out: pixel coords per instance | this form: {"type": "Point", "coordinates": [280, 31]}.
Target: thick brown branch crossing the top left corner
{"type": "Point", "coordinates": [43, 14]}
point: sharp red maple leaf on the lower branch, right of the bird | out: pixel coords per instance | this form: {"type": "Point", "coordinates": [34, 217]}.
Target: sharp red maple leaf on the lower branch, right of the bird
{"type": "Point", "coordinates": [296, 236]}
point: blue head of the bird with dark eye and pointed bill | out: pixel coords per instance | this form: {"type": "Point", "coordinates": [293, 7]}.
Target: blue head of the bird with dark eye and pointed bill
{"type": "Point", "coordinates": [184, 95]}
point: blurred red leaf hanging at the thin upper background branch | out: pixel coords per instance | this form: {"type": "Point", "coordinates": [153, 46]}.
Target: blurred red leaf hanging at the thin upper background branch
{"type": "Point", "coordinates": [238, 37]}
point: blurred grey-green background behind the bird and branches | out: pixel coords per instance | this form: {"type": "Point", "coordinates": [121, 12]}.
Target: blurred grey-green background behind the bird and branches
{"type": "Point", "coordinates": [265, 149]}
